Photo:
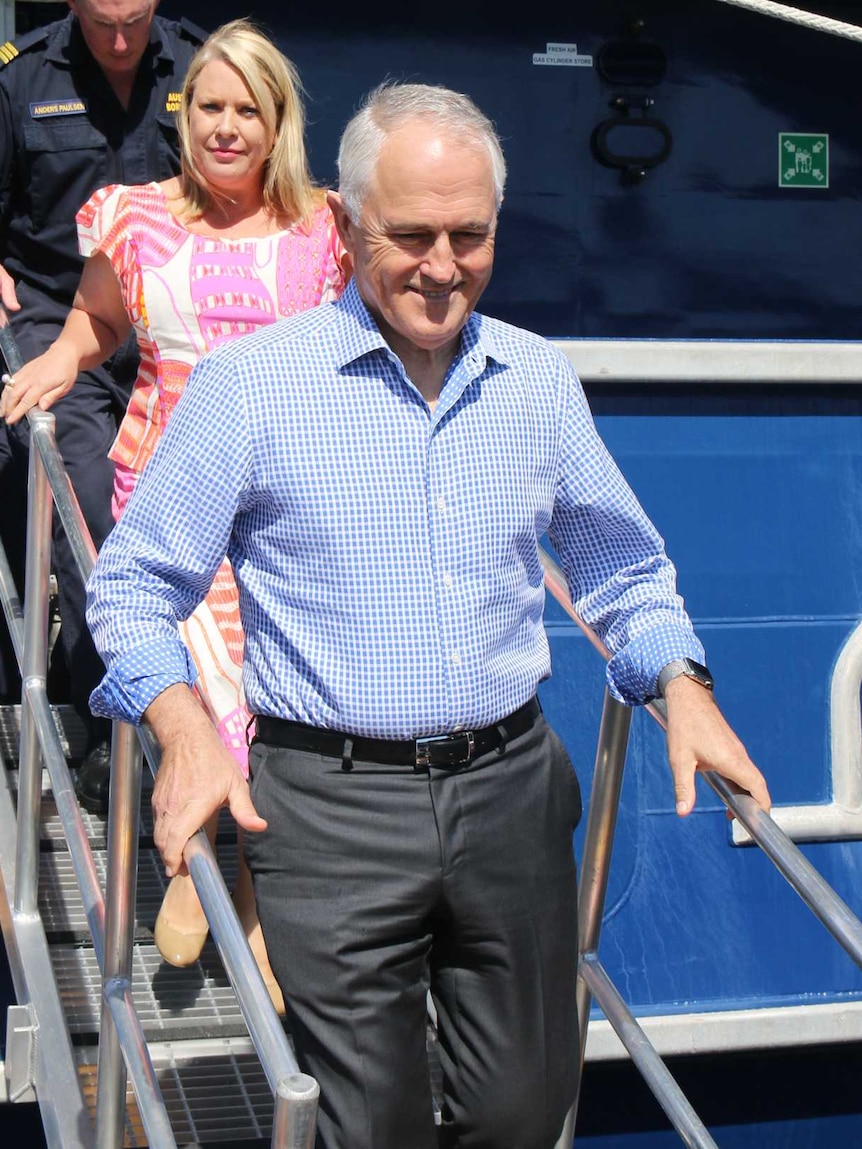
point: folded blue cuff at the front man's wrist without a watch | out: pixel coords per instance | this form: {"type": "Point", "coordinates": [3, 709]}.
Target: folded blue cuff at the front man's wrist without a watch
{"type": "Point", "coordinates": [136, 680]}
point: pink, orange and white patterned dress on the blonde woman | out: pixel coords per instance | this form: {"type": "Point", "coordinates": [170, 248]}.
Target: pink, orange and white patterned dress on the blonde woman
{"type": "Point", "coordinates": [186, 295]}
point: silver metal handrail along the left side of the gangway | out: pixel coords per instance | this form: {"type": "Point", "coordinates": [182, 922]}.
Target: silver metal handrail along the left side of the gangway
{"type": "Point", "coordinates": [111, 919]}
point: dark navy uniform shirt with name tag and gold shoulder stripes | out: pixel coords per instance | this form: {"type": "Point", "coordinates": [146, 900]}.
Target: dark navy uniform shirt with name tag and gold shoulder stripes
{"type": "Point", "coordinates": [64, 134]}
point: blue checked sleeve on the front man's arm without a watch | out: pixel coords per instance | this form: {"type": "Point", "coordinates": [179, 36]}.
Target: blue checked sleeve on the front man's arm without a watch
{"type": "Point", "coordinates": [159, 561]}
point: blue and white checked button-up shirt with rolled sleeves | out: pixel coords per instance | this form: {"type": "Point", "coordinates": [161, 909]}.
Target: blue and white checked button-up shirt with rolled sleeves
{"type": "Point", "coordinates": [387, 556]}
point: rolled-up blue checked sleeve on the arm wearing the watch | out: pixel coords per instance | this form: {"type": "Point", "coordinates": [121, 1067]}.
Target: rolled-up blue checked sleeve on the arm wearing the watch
{"type": "Point", "coordinates": [622, 583]}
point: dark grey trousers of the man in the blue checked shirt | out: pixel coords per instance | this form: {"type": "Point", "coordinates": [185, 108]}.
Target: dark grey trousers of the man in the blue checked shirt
{"type": "Point", "coordinates": [375, 883]}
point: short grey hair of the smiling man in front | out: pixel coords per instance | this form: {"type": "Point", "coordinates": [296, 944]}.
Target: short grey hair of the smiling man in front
{"type": "Point", "coordinates": [388, 109]}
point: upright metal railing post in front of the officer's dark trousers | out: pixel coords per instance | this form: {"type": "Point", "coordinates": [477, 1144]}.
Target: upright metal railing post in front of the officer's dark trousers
{"type": "Point", "coordinates": [35, 677]}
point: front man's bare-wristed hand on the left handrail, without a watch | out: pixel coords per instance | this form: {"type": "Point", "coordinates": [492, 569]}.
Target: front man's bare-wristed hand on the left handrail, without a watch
{"type": "Point", "coordinates": [196, 778]}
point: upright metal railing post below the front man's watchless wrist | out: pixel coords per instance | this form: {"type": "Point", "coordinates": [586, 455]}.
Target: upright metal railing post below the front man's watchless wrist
{"type": "Point", "coordinates": [121, 892]}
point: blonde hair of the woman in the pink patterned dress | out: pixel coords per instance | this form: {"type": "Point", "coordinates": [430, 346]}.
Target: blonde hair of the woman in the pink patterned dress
{"type": "Point", "coordinates": [288, 188]}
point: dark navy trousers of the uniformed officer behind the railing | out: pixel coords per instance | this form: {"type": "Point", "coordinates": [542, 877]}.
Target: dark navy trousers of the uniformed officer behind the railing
{"type": "Point", "coordinates": [87, 426]}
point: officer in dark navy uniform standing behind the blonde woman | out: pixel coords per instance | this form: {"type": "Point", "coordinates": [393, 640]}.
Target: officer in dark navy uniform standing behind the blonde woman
{"type": "Point", "coordinates": [87, 102]}
